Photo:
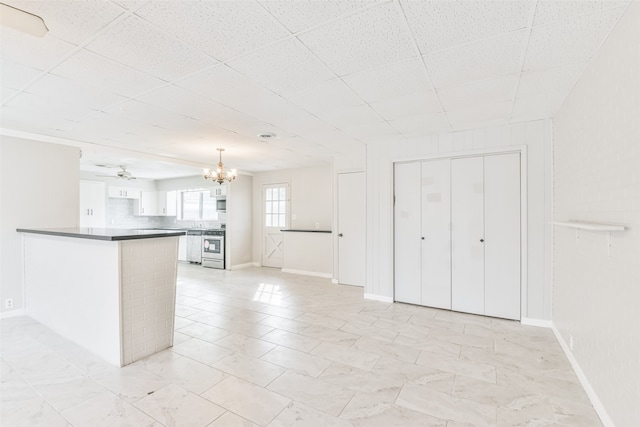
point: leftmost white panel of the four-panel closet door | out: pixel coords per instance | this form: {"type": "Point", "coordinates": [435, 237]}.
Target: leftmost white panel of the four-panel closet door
{"type": "Point", "coordinates": [407, 233]}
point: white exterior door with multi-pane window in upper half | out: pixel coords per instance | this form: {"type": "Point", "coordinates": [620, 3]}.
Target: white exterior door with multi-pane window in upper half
{"type": "Point", "coordinates": [275, 217]}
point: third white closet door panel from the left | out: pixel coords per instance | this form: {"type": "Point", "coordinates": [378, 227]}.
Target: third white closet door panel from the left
{"type": "Point", "coordinates": [467, 235]}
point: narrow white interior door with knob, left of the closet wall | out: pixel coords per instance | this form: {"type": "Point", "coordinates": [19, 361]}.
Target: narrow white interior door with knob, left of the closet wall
{"type": "Point", "coordinates": [352, 189]}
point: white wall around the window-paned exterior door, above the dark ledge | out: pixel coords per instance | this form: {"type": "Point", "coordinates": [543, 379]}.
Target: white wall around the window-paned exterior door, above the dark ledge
{"type": "Point", "coordinates": [310, 199]}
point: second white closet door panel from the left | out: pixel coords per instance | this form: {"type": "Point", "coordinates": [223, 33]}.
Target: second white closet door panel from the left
{"type": "Point", "coordinates": [436, 225]}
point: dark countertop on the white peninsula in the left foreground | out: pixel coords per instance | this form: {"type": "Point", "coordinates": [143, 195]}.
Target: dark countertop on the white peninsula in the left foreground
{"type": "Point", "coordinates": [109, 234]}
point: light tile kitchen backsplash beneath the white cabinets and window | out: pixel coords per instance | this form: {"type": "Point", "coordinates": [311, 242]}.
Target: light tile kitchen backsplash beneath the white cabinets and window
{"type": "Point", "coordinates": [120, 215]}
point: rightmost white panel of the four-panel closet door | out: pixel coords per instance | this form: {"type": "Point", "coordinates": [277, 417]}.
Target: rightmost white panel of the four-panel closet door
{"type": "Point", "coordinates": [502, 231]}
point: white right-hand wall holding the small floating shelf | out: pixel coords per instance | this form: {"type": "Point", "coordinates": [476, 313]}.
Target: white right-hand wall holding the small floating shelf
{"type": "Point", "coordinates": [597, 179]}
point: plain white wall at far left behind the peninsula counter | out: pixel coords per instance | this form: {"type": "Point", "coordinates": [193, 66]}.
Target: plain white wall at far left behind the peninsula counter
{"type": "Point", "coordinates": [39, 188]}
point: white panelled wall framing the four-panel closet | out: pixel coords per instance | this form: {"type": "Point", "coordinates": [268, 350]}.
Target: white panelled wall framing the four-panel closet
{"type": "Point", "coordinates": [535, 135]}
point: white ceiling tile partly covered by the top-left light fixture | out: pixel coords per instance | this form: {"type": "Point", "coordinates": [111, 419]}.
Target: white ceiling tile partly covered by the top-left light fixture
{"type": "Point", "coordinates": [72, 21]}
